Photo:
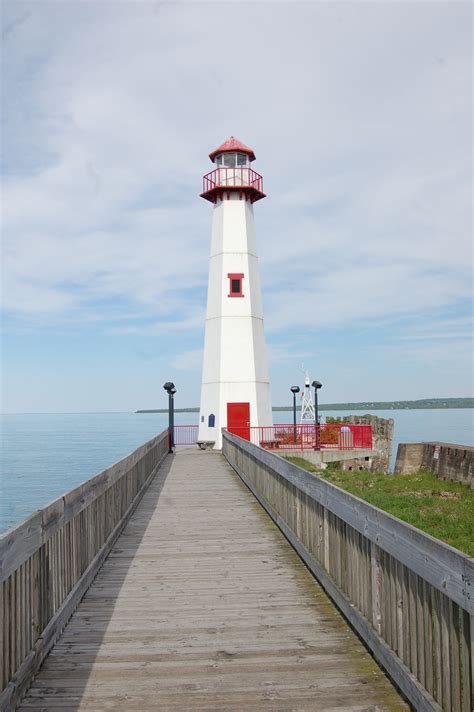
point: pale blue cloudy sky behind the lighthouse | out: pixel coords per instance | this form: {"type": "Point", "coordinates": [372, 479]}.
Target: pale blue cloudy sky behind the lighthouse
{"type": "Point", "coordinates": [360, 115]}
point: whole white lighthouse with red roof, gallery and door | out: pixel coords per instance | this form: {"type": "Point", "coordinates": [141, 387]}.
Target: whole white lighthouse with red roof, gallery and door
{"type": "Point", "coordinates": [235, 390]}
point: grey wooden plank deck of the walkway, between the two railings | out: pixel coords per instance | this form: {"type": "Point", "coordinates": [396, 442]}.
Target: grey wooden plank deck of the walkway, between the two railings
{"type": "Point", "coordinates": [203, 605]}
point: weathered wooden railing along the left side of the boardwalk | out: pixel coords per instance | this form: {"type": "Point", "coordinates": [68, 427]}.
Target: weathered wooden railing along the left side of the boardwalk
{"type": "Point", "coordinates": [48, 562]}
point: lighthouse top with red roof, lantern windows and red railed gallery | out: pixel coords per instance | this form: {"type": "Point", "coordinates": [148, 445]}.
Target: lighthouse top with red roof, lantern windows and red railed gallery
{"type": "Point", "coordinates": [232, 174]}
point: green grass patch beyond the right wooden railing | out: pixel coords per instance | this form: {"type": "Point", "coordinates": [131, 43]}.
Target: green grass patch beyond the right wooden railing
{"type": "Point", "coordinates": [441, 508]}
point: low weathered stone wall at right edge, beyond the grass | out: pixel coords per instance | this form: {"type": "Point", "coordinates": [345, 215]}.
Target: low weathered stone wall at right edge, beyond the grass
{"type": "Point", "coordinates": [445, 460]}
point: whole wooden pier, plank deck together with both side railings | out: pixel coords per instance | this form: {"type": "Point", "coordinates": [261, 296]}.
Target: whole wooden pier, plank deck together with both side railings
{"type": "Point", "coordinates": [169, 582]}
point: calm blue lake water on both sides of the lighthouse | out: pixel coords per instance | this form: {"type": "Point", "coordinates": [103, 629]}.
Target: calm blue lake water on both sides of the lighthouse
{"type": "Point", "coordinates": [43, 456]}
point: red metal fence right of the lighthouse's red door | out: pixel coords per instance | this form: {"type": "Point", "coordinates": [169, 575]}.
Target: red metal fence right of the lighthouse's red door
{"type": "Point", "coordinates": [337, 436]}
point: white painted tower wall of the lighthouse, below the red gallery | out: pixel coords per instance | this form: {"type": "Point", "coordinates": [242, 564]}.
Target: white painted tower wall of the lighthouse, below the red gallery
{"type": "Point", "coordinates": [235, 361]}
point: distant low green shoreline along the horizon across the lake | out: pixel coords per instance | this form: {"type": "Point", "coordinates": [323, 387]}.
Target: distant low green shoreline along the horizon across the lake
{"type": "Point", "coordinates": [423, 404]}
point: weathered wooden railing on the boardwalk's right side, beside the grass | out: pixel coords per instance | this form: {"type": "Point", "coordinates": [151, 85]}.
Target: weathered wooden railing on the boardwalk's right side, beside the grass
{"type": "Point", "coordinates": [408, 595]}
